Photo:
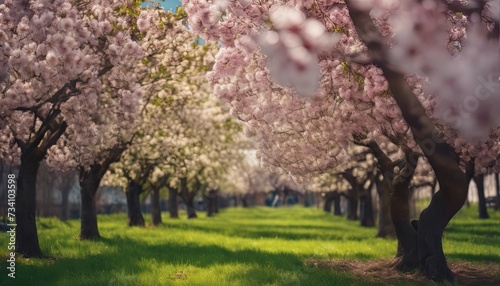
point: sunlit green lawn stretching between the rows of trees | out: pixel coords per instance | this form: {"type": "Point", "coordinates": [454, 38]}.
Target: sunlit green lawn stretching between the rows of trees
{"type": "Point", "coordinates": [256, 246]}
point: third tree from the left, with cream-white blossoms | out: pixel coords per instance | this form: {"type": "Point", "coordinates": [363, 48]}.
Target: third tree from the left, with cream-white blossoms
{"type": "Point", "coordinates": [185, 139]}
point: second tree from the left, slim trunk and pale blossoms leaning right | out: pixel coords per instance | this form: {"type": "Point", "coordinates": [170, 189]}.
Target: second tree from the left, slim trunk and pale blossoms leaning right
{"type": "Point", "coordinates": [169, 55]}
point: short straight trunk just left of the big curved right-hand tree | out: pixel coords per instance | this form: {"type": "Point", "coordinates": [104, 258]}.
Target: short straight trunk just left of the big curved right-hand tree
{"type": "Point", "coordinates": [385, 225]}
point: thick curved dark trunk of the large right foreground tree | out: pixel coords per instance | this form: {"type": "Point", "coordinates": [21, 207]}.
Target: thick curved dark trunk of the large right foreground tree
{"type": "Point", "coordinates": [444, 161]}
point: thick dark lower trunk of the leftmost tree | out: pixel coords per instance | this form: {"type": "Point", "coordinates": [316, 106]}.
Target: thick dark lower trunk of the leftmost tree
{"type": "Point", "coordinates": [26, 232]}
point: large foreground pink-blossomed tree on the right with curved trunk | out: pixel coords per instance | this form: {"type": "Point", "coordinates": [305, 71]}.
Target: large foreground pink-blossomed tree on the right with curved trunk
{"type": "Point", "coordinates": [306, 75]}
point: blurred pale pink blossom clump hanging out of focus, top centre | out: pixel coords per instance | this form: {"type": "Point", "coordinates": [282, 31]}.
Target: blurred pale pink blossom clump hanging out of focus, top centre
{"type": "Point", "coordinates": [292, 49]}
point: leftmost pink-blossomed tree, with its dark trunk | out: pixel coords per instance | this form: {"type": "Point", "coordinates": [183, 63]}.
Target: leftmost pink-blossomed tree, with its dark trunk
{"type": "Point", "coordinates": [54, 56]}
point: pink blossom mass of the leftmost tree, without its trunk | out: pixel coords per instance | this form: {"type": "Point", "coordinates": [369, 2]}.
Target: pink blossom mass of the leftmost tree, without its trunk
{"type": "Point", "coordinates": [58, 58]}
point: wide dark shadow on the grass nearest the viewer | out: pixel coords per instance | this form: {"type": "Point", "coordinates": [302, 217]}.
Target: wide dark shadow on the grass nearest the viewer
{"type": "Point", "coordinates": [131, 258]}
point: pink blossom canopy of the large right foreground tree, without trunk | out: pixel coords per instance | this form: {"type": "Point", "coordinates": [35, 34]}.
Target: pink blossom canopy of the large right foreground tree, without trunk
{"type": "Point", "coordinates": [433, 46]}
